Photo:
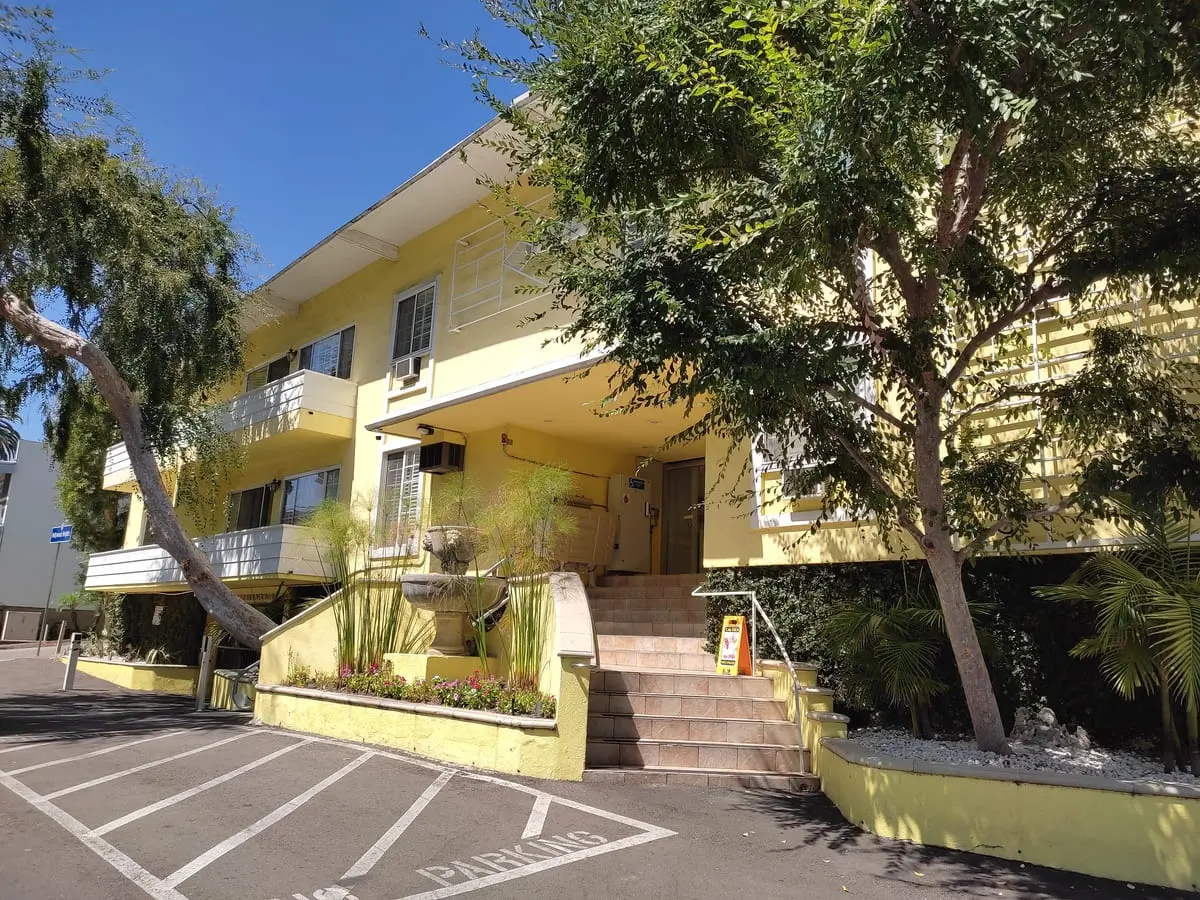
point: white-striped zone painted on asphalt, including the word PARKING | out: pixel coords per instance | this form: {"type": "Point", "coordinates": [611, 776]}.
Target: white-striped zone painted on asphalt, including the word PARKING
{"type": "Point", "coordinates": [223, 812]}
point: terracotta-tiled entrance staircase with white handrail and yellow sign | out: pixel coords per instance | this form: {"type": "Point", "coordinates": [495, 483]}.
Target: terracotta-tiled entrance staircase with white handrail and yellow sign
{"type": "Point", "coordinates": [659, 713]}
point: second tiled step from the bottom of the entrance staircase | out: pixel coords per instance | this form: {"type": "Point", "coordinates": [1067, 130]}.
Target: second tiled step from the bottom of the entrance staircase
{"type": "Point", "coordinates": [694, 755]}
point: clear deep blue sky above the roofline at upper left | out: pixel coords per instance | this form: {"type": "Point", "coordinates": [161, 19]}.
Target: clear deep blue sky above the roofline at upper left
{"type": "Point", "coordinates": [302, 113]}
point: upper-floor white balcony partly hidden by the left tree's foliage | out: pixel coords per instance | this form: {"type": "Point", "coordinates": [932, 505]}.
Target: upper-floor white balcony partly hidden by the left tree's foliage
{"type": "Point", "coordinates": [292, 413]}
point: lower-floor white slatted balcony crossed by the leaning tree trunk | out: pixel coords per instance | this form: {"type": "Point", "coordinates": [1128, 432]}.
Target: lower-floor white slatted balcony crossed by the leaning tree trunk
{"type": "Point", "coordinates": [256, 559]}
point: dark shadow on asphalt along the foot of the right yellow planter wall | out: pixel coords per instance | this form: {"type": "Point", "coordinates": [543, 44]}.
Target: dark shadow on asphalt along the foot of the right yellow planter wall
{"type": "Point", "coordinates": [823, 827]}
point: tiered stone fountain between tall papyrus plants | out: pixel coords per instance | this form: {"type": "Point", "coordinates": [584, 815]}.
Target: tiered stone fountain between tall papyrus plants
{"type": "Point", "coordinates": [452, 595]}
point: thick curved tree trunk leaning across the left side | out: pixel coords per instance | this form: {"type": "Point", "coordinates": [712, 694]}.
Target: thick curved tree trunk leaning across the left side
{"type": "Point", "coordinates": [241, 620]}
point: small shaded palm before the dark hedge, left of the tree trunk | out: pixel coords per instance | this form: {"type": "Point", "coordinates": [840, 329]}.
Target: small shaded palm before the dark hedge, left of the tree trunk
{"type": "Point", "coordinates": [891, 649]}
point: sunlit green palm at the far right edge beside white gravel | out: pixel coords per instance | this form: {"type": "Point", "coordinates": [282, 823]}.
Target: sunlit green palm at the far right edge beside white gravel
{"type": "Point", "coordinates": [1148, 619]}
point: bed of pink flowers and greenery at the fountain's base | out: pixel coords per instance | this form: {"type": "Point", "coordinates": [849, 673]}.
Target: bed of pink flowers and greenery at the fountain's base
{"type": "Point", "coordinates": [481, 693]}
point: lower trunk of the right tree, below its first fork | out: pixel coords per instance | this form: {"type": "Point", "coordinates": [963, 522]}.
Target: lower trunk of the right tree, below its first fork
{"type": "Point", "coordinates": [989, 728]}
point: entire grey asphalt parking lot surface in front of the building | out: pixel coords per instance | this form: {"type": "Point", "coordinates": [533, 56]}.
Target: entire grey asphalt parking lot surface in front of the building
{"type": "Point", "coordinates": [117, 795]}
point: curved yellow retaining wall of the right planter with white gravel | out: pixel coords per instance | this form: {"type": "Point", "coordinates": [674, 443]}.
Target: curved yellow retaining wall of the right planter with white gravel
{"type": "Point", "coordinates": [1131, 832]}
